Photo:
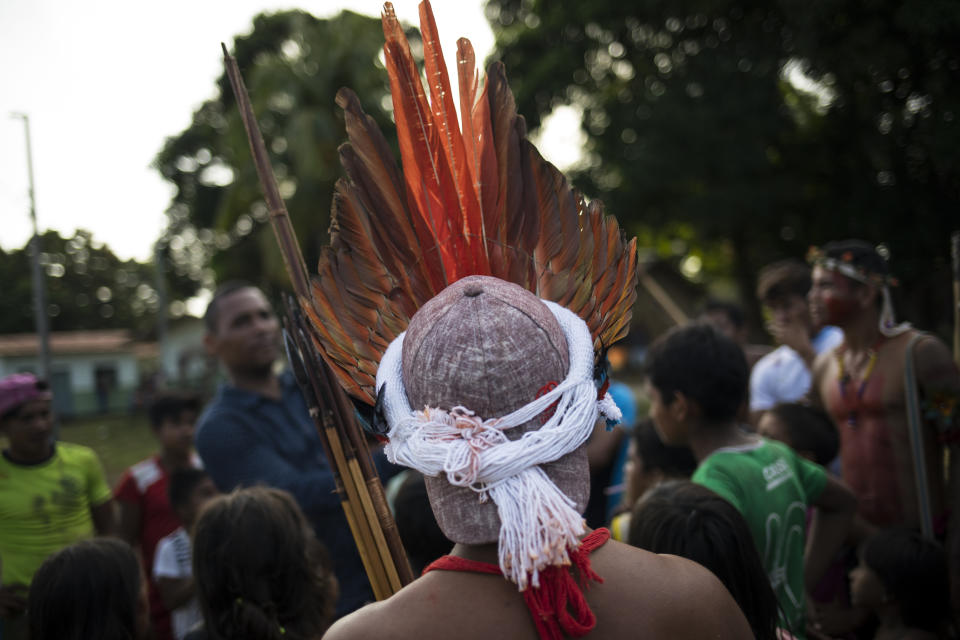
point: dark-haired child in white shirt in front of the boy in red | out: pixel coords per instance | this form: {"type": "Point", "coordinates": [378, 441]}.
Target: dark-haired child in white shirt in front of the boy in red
{"type": "Point", "coordinates": [190, 490]}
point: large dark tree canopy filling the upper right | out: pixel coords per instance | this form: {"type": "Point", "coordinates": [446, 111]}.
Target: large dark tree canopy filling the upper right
{"type": "Point", "coordinates": [754, 129]}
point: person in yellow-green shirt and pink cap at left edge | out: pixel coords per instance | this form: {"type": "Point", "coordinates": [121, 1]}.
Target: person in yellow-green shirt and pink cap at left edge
{"type": "Point", "coordinates": [51, 493]}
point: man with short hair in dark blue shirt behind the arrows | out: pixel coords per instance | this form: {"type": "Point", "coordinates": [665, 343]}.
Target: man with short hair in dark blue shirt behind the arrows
{"type": "Point", "coordinates": [257, 430]}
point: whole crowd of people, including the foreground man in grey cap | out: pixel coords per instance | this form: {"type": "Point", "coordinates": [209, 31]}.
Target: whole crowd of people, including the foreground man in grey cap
{"type": "Point", "coordinates": [803, 491]}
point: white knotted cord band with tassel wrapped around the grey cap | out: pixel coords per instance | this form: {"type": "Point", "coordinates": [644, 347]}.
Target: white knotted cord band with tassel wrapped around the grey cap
{"type": "Point", "coordinates": [538, 522]}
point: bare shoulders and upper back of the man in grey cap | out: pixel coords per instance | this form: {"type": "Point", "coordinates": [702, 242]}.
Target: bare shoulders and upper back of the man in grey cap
{"type": "Point", "coordinates": [659, 596]}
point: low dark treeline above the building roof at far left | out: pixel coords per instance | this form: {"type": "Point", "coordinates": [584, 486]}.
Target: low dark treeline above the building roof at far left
{"type": "Point", "coordinates": [87, 287]}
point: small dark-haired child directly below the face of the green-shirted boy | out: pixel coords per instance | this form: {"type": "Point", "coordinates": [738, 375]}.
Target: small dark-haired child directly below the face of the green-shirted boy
{"type": "Point", "coordinates": [649, 463]}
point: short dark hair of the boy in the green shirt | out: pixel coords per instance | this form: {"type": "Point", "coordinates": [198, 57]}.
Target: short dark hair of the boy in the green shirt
{"type": "Point", "coordinates": [704, 365]}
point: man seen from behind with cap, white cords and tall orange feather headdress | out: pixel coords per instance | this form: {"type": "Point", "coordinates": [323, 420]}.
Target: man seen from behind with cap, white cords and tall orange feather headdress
{"type": "Point", "coordinates": [469, 296]}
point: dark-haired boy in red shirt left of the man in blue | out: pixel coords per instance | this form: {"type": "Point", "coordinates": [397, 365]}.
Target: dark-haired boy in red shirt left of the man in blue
{"type": "Point", "coordinates": [145, 512]}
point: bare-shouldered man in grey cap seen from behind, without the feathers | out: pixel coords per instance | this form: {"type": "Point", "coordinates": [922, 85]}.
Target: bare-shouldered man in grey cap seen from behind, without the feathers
{"type": "Point", "coordinates": [503, 383]}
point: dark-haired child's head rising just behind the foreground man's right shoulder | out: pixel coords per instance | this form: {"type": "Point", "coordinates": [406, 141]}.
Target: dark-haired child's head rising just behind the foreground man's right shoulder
{"type": "Point", "coordinates": [688, 520]}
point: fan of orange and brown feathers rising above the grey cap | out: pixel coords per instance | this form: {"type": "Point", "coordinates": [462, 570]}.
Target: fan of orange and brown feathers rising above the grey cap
{"type": "Point", "coordinates": [474, 197]}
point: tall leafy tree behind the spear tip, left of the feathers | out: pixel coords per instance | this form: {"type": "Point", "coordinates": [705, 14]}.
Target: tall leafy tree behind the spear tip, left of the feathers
{"type": "Point", "coordinates": [293, 64]}
